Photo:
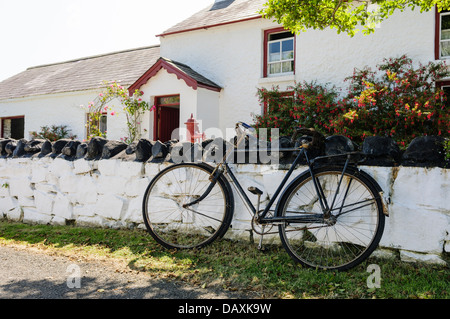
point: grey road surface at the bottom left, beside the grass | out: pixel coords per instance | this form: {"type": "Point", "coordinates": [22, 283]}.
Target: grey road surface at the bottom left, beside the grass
{"type": "Point", "coordinates": [29, 274]}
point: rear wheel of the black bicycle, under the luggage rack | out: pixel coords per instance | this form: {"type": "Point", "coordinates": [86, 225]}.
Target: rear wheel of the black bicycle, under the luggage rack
{"type": "Point", "coordinates": [343, 234]}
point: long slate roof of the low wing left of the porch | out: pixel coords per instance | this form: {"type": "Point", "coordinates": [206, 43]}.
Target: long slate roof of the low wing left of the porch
{"type": "Point", "coordinates": [81, 74]}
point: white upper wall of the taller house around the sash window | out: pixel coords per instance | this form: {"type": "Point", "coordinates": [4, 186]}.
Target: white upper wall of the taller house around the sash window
{"type": "Point", "coordinates": [232, 56]}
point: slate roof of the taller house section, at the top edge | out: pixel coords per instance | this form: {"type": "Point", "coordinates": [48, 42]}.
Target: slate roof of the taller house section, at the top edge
{"type": "Point", "coordinates": [224, 12]}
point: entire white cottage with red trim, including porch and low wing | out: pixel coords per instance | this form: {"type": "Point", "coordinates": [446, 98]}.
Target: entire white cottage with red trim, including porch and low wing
{"type": "Point", "coordinates": [210, 65]}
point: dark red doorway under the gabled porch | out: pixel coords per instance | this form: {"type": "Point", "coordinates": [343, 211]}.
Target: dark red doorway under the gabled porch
{"type": "Point", "coordinates": [167, 117]}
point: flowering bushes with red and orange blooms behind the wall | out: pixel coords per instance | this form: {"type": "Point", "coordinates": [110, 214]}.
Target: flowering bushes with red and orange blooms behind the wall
{"type": "Point", "coordinates": [397, 100]}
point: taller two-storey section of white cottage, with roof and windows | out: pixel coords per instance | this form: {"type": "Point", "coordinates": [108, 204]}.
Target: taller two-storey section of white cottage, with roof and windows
{"type": "Point", "coordinates": [230, 44]}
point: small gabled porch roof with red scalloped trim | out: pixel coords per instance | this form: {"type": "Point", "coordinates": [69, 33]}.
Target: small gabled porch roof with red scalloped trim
{"type": "Point", "coordinates": [182, 71]}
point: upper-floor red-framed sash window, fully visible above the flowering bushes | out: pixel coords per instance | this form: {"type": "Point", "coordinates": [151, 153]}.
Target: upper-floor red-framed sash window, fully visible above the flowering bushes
{"type": "Point", "coordinates": [279, 52]}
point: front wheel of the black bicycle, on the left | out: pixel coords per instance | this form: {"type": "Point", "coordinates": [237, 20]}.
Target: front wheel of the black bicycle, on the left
{"type": "Point", "coordinates": [178, 227]}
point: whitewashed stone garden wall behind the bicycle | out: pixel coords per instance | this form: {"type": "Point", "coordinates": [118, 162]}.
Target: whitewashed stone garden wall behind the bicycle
{"type": "Point", "coordinates": [108, 193]}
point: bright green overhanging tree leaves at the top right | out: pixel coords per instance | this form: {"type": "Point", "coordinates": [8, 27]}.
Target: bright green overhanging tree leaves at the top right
{"type": "Point", "coordinates": [343, 15]}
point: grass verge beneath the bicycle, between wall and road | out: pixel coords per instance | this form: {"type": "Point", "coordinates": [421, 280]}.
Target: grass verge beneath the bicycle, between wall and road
{"type": "Point", "coordinates": [232, 265]}
